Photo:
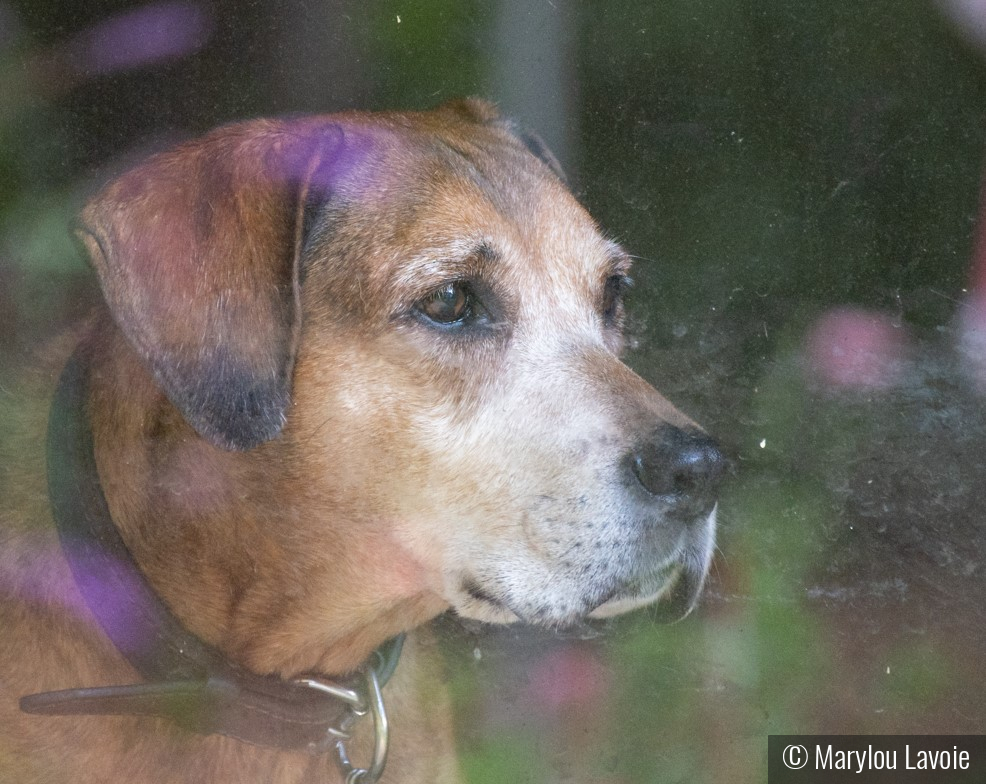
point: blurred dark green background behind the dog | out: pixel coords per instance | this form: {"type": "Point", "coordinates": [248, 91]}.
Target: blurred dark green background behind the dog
{"type": "Point", "coordinates": [800, 183]}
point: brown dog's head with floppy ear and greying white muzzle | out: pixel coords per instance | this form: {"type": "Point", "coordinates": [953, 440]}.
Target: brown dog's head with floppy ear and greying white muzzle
{"type": "Point", "coordinates": [409, 331]}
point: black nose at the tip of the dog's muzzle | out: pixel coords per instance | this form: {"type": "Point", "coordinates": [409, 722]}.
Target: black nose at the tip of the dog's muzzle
{"type": "Point", "coordinates": [682, 467]}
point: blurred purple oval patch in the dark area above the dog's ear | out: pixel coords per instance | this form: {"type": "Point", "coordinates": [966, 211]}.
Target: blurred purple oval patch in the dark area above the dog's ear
{"type": "Point", "coordinates": [150, 34]}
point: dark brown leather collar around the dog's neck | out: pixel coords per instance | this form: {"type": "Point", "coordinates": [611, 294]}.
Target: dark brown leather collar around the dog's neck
{"type": "Point", "coordinates": [186, 680]}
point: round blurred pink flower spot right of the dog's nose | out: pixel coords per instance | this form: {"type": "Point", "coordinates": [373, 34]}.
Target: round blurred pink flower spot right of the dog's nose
{"type": "Point", "coordinates": [856, 348]}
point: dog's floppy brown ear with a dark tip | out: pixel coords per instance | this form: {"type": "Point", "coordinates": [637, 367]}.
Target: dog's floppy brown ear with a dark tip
{"type": "Point", "coordinates": [197, 253]}
